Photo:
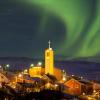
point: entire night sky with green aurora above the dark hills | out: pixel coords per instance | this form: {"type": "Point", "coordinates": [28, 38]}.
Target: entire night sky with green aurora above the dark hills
{"type": "Point", "coordinates": [73, 26]}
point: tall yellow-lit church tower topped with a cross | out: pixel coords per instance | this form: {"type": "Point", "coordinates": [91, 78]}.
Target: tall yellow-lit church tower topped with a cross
{"type": "Point", "coordinates": [49, 60]}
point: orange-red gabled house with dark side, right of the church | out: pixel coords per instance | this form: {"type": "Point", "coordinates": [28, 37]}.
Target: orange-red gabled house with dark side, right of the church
{"type": "Point", "coordinates": [77, 87]}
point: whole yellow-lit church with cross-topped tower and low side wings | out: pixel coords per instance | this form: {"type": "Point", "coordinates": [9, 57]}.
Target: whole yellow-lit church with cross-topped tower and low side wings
{"type": "Point", "coordinates": [49, 68]}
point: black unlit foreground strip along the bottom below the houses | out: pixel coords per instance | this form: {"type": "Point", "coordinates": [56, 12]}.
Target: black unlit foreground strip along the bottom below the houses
{"type": "Point", "coordinates": [43, 95]}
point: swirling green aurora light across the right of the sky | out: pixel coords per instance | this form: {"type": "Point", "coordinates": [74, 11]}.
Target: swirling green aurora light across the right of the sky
{"type": "Point", "coordinates": [82, 21]}
